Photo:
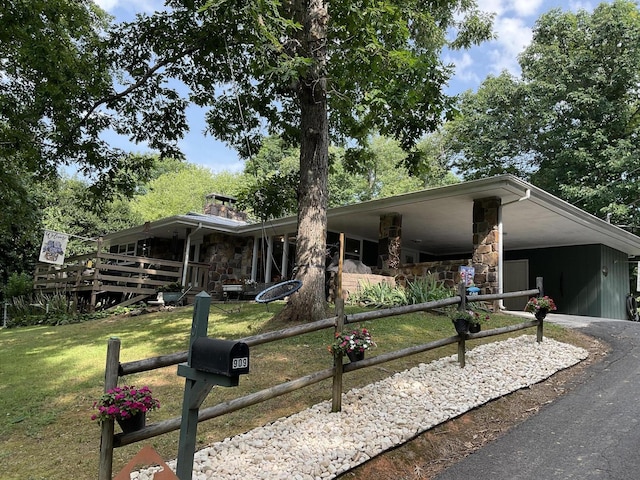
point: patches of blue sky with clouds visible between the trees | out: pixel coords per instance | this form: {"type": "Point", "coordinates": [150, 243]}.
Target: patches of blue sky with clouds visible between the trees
{"type": "Point", "coordinates": [513, 24]}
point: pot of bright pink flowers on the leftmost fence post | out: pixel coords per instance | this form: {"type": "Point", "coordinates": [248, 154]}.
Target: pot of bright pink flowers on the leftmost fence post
{"type": "Point", "coordinates": [127, 405]}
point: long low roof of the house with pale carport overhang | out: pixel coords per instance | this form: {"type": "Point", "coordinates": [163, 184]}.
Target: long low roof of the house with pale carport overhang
{"type": "Point", "coordinates": [436, 221]}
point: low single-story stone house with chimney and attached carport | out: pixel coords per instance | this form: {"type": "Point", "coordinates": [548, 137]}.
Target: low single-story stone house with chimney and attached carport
{"type": "Point", "coordinates": [508, 230]}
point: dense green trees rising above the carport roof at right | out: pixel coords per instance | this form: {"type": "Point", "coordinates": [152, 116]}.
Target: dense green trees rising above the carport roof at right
{"type": "Point", "coordinates": [570, 124]}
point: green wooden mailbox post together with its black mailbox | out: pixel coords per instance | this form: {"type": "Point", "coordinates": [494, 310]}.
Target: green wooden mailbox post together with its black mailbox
{"type": "Point", "coordinates": [210, 362]}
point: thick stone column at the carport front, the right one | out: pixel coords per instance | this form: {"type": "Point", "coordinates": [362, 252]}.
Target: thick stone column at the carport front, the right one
{"type": "Point", "coordinates": [485, 244]}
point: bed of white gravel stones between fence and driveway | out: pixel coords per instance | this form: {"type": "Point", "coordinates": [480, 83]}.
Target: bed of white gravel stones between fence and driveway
{"type": "Point", "coordinates": [316, 444]}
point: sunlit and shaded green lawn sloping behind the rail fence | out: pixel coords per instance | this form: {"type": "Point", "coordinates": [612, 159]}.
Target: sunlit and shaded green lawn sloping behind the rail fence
{"type": "Point", "coordinates": [52, 375]}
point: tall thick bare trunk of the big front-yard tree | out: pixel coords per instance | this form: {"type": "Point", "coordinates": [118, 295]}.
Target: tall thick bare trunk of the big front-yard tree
{"type": "Point", "coordinates": [310, 302]}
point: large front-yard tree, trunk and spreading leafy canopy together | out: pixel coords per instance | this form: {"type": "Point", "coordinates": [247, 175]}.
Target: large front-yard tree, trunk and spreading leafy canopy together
{"type": "Point", "coordinates": [309, 71]}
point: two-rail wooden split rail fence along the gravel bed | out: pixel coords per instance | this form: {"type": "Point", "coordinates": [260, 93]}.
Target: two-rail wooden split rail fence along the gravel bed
{"type": "Point", "coordinates": [115, 369]}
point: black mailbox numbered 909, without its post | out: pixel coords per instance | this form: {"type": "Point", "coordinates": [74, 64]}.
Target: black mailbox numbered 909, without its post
{"type": "Point", "coordinates": [222, 357]}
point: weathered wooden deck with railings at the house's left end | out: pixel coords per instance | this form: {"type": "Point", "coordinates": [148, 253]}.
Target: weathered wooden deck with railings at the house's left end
{"type": "Point", "coordinates": [104, 280]}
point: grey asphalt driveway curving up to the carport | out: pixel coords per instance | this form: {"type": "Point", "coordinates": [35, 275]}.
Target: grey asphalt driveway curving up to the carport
{"type": "Point", "coordinates": [592, 432]}
